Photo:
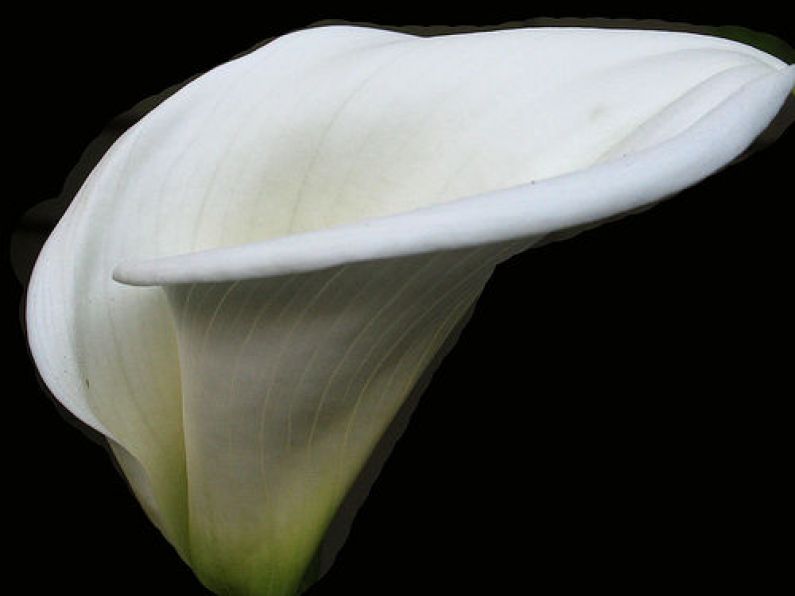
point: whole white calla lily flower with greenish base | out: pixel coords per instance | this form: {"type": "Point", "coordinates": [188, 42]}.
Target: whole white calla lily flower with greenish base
{"type": "Point", "coordinates": [255, 276]}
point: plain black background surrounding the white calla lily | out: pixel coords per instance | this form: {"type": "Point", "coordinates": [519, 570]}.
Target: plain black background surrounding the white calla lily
{"type": "Point", "coordinates": [613, 417]}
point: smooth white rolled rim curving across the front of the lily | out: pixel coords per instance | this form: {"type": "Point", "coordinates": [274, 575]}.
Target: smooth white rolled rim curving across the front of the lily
{"type": "Point", "coordinates": [535, 209]}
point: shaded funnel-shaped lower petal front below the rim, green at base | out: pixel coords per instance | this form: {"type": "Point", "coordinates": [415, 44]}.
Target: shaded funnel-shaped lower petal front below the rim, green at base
{"type": "Point", "coordinates": [289, 384]}
